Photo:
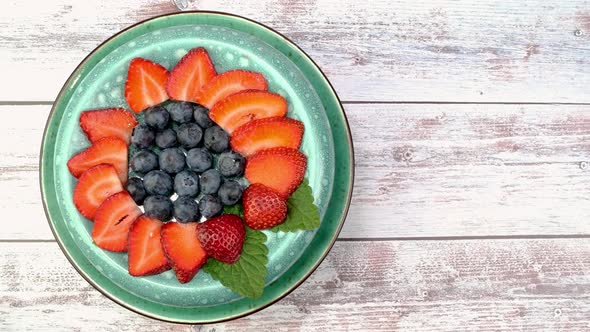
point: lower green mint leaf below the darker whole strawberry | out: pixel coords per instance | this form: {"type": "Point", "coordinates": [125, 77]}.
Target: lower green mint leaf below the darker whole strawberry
{"type": "Point", "coordinates": [246, 276]}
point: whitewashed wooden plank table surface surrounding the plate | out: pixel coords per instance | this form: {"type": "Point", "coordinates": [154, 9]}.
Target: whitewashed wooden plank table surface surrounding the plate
{"type": "Point", "coordinates": [471, 124]}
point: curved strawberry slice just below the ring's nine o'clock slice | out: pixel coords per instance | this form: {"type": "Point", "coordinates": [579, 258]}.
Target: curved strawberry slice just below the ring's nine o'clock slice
{"type": "Point", "coordinates": [94, 186]}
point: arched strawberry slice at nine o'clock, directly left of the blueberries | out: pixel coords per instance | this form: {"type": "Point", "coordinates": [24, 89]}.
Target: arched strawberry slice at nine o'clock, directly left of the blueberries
{"type": "Point", "coordinates": [108, 150]}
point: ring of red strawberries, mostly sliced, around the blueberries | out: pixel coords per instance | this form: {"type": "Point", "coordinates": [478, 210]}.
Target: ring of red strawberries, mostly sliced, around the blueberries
{"type": "Point", "coordinates": [239, 102]}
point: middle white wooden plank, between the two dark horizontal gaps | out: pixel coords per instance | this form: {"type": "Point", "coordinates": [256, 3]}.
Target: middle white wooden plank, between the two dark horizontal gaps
{"type": "Point", "coordinates": [422, 170]}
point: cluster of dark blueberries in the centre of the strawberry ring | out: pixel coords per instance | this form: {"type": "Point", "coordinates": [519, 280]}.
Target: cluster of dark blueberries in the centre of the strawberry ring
{"type": "Point", "coordinates": [177, 148]}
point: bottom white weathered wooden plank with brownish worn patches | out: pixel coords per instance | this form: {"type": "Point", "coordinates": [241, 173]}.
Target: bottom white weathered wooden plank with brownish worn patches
{"type": "Point", "coordinates": [485, 285]}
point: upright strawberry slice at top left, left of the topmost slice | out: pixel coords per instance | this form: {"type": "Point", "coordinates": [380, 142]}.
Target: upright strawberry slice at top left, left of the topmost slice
{"type": "Point", "coordinates": [146, 84]}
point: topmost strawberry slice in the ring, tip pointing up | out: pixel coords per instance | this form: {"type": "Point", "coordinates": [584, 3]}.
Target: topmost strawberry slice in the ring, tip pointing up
{"type": "Point", "coordinates": [191, 73]}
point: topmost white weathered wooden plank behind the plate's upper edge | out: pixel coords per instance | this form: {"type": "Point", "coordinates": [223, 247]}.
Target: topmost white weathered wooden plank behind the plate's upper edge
{"type": "Point", "coordinates": [371, 50]}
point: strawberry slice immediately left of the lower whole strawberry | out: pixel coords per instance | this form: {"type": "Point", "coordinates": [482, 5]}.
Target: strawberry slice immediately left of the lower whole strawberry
{"type": "Point", "coordinates": [182, 247]}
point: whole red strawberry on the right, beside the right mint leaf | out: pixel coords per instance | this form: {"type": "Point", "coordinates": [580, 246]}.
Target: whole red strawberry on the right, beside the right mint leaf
{"type": "Point", "coordinates": [263, 207]}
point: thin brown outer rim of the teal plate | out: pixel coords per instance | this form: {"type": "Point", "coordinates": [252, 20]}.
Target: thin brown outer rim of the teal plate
{"type": "Point", "coordinates": [146, 313]}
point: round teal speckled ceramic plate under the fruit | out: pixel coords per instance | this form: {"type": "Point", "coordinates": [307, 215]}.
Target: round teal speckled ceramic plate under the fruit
{"type": "Point", "coordinates": [233, 42]}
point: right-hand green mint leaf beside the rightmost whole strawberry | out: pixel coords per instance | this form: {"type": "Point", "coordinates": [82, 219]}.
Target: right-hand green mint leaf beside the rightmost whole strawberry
{"type": "Point", "coordinates": [302, 213]}
